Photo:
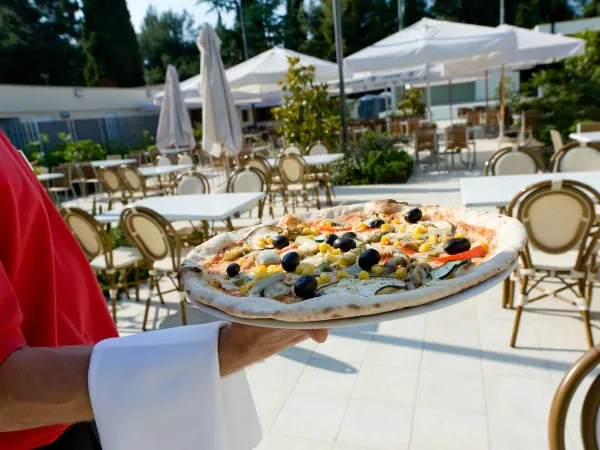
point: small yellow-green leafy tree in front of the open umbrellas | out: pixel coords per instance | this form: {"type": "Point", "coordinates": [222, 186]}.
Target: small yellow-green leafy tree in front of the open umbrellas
{"type": "Point", "coordinates": [307, 113]}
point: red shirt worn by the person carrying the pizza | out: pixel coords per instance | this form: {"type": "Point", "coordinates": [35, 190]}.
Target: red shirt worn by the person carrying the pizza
{"type": "Point", "coordinates": [49, 296]}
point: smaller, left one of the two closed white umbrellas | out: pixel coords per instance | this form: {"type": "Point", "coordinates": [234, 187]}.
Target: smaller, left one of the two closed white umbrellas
{"type": "Point", "coordinates": [174, 124]}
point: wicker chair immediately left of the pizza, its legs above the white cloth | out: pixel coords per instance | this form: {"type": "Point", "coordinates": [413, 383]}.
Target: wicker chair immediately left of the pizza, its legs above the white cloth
{"type": "Point", "coordinates": [161, 248]}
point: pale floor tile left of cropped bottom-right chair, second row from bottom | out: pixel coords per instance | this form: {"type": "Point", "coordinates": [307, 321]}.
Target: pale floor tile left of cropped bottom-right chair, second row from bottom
{"type": "Point", "coordinates": [518, 398]}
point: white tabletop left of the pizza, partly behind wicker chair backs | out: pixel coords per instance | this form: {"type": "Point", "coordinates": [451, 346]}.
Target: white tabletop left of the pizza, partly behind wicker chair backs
{"type": "Point", "coordinates": [207, 207]}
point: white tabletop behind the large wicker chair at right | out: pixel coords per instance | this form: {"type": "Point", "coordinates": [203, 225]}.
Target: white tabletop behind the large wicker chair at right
{"type": "Point", "coordinates": [500, 190]}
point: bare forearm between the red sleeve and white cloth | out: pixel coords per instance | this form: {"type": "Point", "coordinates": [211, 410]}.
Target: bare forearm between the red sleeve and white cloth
{"type": "Point", "coordinates": [44, 386]}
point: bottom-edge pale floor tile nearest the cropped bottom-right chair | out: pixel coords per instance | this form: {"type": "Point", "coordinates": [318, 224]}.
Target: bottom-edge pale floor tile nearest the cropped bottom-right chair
{"type": "Point", "coordinates": [512, 434]}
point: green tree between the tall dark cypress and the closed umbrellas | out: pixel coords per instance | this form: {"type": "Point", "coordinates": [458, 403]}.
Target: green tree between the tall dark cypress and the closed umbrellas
{"type": "Point", "coordinates": [168, 38]}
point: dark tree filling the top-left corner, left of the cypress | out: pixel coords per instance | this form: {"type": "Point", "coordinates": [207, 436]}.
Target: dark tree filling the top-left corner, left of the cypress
{"type": "Point", "coordinates": [38, 42]}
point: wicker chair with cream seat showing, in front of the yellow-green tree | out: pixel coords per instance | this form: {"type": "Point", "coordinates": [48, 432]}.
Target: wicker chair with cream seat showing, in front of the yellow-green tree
{"type": "Point", "coordinates": [295, 175]}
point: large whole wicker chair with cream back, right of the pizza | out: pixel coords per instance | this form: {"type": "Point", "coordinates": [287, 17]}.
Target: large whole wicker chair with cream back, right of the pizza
{"type": "Point", "coordinates": [559, 217]}
